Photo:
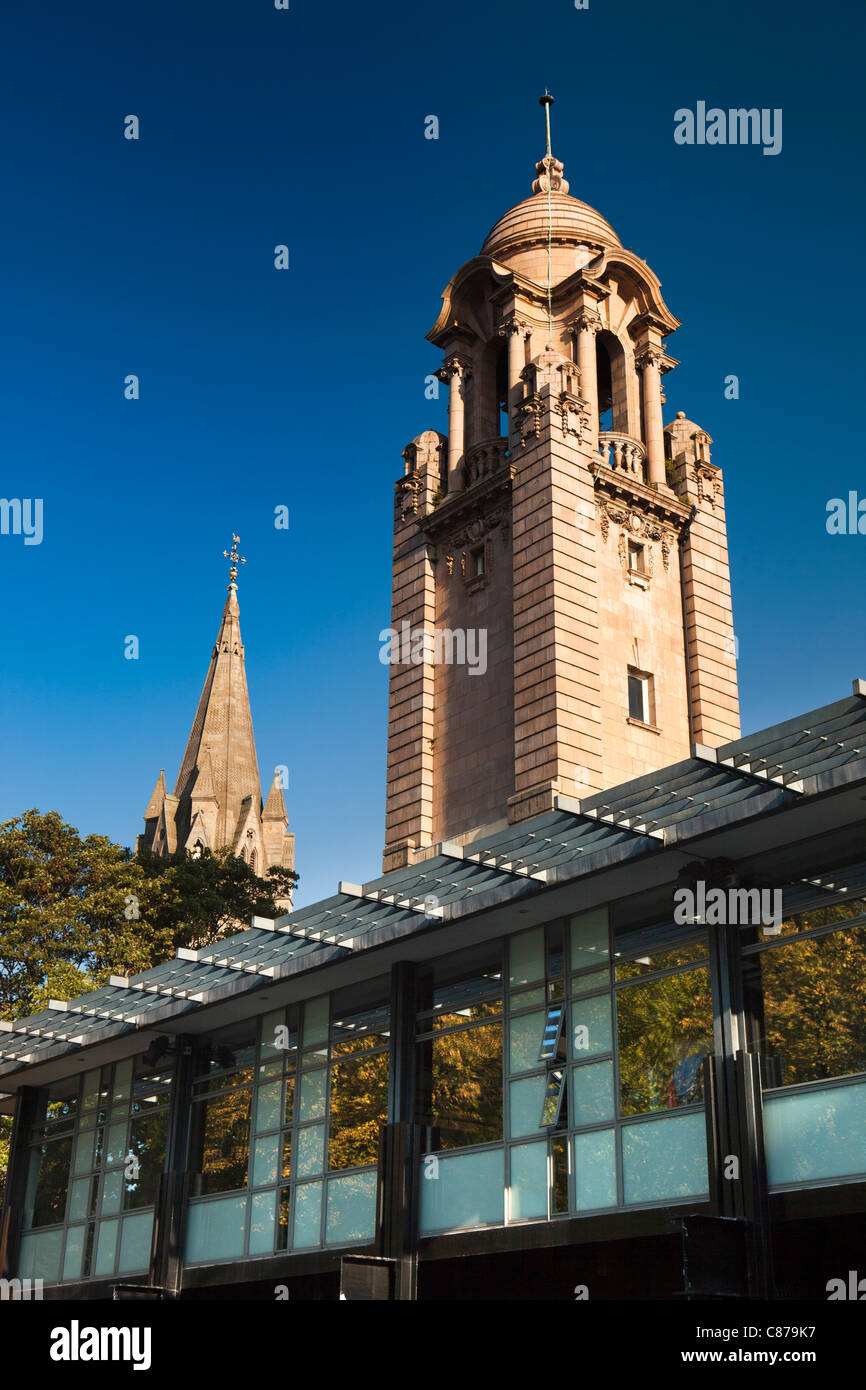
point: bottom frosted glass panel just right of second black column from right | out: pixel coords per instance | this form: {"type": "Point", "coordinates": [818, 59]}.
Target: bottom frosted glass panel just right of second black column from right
{"type": "Point", "coordinates": [464, 1191]}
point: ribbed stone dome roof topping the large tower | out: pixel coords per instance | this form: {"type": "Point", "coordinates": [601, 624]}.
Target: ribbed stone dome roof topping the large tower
{"type": "Point", "coordinates": [522, 234]}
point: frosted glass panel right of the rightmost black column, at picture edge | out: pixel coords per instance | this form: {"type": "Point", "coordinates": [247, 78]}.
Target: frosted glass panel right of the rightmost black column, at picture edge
{"type": "Point", "coordinates": [815, 1135]}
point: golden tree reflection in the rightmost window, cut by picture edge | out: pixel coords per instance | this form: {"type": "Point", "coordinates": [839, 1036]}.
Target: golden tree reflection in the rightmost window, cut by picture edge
{"type": "Point", "coordinates": [815, 1006]}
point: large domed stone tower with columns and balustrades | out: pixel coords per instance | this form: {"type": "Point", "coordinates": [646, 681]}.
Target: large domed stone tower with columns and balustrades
{"type": "Point", "coordinates": [561, 529]}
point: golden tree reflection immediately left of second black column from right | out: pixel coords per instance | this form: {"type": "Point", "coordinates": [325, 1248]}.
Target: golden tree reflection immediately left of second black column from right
{"type": "Point", "coordinates": [359, 1106]}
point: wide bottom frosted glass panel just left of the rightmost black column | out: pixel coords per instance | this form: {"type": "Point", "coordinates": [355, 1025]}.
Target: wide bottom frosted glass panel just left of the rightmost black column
{"type": "Point", "coordinates": [665, 1159]}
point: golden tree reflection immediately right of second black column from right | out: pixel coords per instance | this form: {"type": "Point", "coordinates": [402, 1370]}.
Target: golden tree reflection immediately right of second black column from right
{"type": "Point", "coordinates": [465, 1086]}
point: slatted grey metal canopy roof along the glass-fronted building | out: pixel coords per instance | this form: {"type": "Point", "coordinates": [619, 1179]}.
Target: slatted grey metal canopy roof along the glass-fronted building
{"type": "Point", "coordinates": [644, 815]}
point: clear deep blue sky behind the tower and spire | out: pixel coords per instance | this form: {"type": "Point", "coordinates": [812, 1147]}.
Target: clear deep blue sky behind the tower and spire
{"type": "Point", "coordinates": [259, 389]}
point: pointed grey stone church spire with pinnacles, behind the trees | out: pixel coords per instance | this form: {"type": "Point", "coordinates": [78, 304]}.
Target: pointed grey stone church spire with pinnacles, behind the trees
{"type": "Point", "coordinates": [218, 799]}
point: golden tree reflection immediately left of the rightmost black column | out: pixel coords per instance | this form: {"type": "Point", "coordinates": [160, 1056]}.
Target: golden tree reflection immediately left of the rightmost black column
{"type": "Point", "coordinates": [665, 1028]}
